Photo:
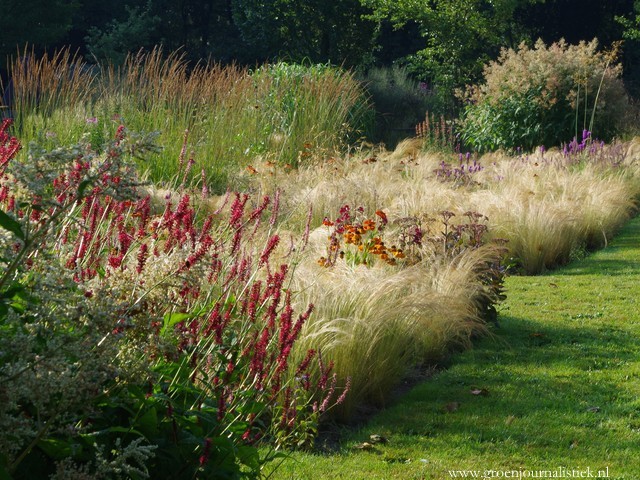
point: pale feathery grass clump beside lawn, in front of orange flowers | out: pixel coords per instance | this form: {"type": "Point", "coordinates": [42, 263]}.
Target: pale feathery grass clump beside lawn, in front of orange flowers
{"type": "Point", "coordinates": [376, 323]}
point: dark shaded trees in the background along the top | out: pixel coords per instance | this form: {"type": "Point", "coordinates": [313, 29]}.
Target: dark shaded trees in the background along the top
{"type": "Point", "coordinates": [444, 43]}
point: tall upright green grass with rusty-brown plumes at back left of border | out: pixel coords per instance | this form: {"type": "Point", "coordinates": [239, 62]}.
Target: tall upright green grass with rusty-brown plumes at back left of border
{"type": "Point", "coordinates": [230, 116]}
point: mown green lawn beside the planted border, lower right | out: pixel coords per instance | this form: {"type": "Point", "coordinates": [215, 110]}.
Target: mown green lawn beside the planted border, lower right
{"type": "Point", "coordinates": [557, 389]}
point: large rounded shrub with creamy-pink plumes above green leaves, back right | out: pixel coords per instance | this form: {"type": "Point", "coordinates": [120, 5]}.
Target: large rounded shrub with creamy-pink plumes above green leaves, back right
{"type": "Point", "coordinates": [545, 96]}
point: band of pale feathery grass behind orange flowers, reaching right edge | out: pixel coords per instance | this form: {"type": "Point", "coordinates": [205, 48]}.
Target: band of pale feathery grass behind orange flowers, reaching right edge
{"type": "Point", "coordinates": [547, 206]}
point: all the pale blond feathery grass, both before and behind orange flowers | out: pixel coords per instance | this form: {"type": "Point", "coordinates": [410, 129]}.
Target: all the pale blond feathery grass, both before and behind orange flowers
{"type": "Point", "coordinates": [374, 319]}
